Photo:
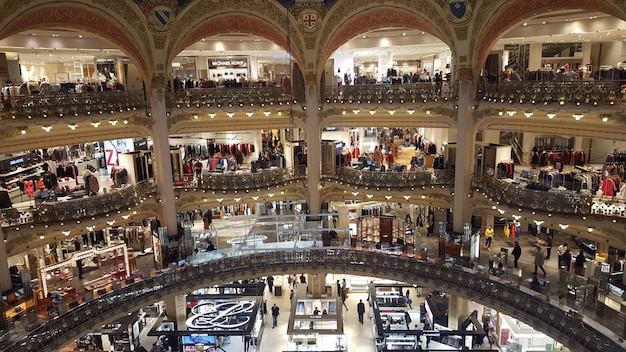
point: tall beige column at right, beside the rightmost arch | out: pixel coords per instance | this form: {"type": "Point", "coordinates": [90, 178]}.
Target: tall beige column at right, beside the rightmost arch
{"type": "Point", "coordinates": [465, 151]}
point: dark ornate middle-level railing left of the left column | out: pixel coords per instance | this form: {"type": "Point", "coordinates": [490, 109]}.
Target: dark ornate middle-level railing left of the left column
{"type": "Point", "coordinates": [78, 209]}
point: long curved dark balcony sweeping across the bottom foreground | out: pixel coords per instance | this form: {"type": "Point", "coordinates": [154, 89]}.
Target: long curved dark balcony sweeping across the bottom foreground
{"type": "Point", "coordinates": [568, 328]}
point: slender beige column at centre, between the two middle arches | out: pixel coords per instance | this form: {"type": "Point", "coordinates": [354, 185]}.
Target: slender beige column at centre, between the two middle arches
{"type": "Point", "coordinates": [314, 149]}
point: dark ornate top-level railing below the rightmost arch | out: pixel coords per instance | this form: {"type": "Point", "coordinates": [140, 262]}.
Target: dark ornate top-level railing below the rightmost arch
{"type": "Point", "coordinates": [572, 92]}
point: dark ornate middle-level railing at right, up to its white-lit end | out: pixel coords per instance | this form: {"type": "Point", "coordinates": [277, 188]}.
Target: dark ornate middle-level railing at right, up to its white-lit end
{"type": "Point", "coordinates": [518, 196]}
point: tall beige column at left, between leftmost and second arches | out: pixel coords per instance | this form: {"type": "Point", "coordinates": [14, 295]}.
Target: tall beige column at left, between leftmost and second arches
{"type": "Point", "coordinates": [162, 159]}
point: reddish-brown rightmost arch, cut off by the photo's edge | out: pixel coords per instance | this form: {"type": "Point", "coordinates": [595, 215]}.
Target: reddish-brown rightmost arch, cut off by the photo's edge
{"type": "Point", "coordinates": [513, 12]}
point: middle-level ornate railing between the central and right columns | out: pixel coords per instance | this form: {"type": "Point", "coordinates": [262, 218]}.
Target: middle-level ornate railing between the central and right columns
{"type": "Point", "coordinates": [408, 179]}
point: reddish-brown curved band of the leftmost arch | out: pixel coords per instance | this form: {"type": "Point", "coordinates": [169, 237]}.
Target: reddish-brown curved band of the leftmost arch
{"type": "Point", "coordinates": [81, 17]}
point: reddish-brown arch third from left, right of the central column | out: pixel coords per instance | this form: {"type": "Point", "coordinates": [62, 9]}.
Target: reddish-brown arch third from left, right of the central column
{"type": "Point", "coordinates": [370, 18]}
